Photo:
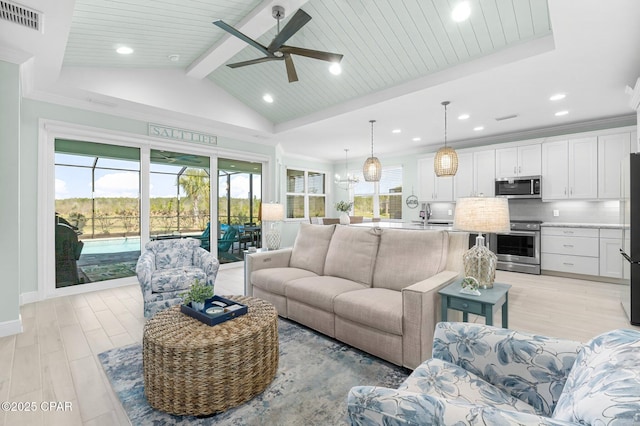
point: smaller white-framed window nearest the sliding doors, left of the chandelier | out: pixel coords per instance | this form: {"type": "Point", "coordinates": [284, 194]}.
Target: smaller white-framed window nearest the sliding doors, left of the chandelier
{"type": "Point", "coordinates": [306, 194]}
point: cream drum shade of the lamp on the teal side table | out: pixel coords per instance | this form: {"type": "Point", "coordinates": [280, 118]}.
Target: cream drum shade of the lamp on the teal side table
{"type": "Point", "coordinates": [482, 214]}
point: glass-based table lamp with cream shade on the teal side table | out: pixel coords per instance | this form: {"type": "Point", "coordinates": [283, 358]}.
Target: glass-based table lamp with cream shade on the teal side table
{"type": "Point", "coordinates": [482, 215]}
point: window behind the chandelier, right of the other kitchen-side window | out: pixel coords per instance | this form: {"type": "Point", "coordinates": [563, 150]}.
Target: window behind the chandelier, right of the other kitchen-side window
{"type": "Point", "coordinates": [389, 195]}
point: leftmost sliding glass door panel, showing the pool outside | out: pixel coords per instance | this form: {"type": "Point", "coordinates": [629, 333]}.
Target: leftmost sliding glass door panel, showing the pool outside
{"type": "Point", "coordinates": [97, 205]}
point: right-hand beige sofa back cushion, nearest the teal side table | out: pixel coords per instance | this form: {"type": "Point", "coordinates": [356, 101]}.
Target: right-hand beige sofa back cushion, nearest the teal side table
{"type": "Point", "coordinates": [406, 257]}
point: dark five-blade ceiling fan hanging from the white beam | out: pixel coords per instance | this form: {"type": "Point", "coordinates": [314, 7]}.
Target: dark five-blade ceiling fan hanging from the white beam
{"type": "Point", "coordinates": [277, 50]}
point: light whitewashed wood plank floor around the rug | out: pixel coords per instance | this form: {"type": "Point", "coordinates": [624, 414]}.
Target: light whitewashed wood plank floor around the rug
{"type": "Point", "coordinates": [55, 358]}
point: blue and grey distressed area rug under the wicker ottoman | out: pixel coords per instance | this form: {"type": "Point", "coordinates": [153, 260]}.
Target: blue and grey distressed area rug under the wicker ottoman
{"type": "Point", "coordinates": [314, 376]}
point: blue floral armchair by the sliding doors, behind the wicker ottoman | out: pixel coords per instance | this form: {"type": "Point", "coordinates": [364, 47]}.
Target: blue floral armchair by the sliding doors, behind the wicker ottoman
{"type": "Point", "coordinates": [169, 267]}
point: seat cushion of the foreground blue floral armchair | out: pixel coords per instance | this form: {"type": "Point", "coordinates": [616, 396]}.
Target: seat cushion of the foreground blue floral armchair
{"type": "Point", "coordinates": [455, 384]}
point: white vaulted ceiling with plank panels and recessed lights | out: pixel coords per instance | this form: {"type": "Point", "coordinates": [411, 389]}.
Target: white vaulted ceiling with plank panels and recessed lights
{"type": "Point", "coordinates": [402, 59]}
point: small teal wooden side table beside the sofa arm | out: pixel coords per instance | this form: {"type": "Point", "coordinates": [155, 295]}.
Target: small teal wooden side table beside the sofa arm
{"type": "Point", "coordinates": [483, 305]}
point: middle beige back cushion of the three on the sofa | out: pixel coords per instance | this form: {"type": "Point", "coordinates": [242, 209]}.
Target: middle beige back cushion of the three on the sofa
{"type": "Point", "coordinates": [352, 254]}
